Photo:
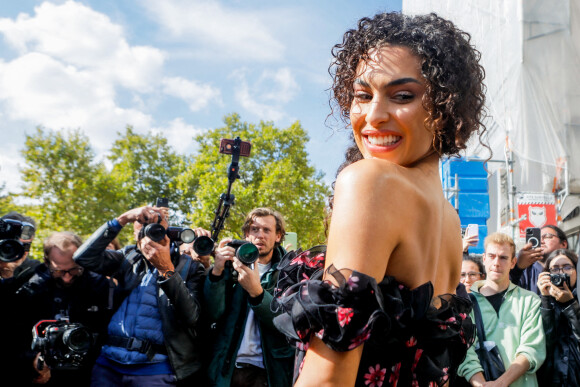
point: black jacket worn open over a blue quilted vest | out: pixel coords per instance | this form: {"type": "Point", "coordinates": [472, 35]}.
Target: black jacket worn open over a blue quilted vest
{"type": "Point", "coordinates": [178, 298]}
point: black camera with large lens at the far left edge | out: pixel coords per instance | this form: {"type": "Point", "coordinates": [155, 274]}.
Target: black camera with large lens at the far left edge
{"type": "Point", "coordinates": [11, 232]}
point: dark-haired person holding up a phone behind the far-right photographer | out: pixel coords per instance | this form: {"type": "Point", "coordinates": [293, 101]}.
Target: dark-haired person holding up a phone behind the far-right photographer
{"type": "Point", "coordinates": [531, 261]}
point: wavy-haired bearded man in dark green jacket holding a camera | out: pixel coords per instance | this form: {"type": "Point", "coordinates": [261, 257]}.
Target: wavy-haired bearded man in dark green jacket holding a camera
{"type": "Point", "coordinates": [248, 349]}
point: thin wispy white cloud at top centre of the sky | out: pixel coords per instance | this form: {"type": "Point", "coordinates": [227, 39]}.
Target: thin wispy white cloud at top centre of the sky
{"type": "Point", "coordinates": [224, 32]}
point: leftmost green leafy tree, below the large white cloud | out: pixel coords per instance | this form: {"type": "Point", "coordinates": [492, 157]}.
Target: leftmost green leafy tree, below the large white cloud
{"type": "Point", "coordinates": [67, 188]}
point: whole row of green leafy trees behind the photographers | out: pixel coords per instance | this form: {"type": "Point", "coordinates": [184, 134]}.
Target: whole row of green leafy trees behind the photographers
{"type": "Point", "coordinates": [66, 188]}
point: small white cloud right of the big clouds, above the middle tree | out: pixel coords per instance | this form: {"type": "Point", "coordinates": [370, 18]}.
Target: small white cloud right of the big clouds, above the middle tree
{"type": "Point", "coordinates": [197, 95]}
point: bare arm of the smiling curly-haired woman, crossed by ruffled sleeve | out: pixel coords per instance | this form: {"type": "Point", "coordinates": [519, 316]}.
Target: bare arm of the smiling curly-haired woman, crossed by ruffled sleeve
{"type": "Point", "coordinates": [363, 233]}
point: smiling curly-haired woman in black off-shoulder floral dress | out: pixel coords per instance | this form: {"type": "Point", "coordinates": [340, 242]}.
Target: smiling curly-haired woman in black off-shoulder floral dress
{"type": "Point", "coordinates": [411, 89]}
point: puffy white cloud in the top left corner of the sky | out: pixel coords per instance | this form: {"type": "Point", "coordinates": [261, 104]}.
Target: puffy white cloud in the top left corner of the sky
{"type": "Point", "coordinates": [81, 37]}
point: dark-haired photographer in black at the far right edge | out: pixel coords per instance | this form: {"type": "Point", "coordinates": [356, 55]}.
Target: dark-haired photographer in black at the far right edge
{"type": "Point", "coordinates": [561, 319]}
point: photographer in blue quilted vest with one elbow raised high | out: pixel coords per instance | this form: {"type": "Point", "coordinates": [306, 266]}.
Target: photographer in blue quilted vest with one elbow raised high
{"type": "Point", "coordinates": [152, 335]}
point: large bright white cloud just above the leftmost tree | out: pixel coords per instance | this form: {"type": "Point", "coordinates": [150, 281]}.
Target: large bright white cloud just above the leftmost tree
{"type": "Point", "coordinates": [43, 91]}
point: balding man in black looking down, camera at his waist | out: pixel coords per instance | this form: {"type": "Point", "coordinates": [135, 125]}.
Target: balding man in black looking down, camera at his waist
{"type": "Point", "coordinates": [63, 291]}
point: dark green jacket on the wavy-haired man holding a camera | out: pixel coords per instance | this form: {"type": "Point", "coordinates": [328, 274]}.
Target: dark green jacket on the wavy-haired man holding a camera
{"type": "Point", "coordinates": [228, 306]}
